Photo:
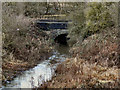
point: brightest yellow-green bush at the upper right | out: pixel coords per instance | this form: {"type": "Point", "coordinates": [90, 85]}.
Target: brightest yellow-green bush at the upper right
{"type": "Point", "coordinates": [98, 17]}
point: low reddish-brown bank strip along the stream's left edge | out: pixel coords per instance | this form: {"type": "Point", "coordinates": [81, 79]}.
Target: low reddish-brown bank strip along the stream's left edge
{"type": "Point", "coordinates": [13, 68]}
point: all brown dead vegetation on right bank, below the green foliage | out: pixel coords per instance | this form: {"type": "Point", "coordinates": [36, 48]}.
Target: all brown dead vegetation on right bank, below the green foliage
{"type": "Point", "coordinates": [95, 64]}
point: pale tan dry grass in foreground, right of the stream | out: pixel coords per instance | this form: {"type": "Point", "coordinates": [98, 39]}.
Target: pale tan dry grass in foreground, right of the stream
{"type": "Point", "coordinates": [78, 73]}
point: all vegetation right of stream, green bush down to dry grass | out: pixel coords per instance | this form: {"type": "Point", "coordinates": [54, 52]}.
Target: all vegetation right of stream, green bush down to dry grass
{"type": "Point", "coordinates": [94, 49]}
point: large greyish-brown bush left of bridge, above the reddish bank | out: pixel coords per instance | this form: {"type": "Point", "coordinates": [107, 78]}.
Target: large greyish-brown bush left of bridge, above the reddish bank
{"type": "Point", "coordinates": [20, 38]}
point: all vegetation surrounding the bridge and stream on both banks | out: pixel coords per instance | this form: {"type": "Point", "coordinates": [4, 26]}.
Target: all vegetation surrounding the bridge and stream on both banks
{"type": "Point", "coordinates": [94, 42]}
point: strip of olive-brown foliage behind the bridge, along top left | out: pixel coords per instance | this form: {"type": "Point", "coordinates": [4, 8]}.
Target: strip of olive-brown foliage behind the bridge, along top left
{"type": "Point", "coordinates": [32, 9]}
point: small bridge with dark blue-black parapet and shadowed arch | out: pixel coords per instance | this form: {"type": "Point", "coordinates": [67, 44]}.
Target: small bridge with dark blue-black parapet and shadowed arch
{"type": "Point", "coordinates": [56, 29]}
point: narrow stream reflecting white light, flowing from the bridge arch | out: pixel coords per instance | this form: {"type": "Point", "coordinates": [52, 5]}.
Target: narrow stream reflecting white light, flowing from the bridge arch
{"type": "Point", "coordinates": [41, 73]}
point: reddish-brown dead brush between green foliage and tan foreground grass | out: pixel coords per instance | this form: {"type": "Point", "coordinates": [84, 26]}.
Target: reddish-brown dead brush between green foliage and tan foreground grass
{"type": "Point", "coordinates": [100, 48]}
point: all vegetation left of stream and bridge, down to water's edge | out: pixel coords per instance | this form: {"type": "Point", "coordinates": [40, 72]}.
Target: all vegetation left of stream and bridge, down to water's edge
{"type": "Point", "coordinates": [24, 45]}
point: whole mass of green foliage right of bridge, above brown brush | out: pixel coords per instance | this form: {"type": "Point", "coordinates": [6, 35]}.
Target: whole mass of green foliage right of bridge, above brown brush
{"type": "Point", "coordinates": [92, 18]}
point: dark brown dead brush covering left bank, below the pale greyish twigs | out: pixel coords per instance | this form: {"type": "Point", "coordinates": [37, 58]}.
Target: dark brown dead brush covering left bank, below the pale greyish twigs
{"type": "Point", "coordinates": [22, 50]}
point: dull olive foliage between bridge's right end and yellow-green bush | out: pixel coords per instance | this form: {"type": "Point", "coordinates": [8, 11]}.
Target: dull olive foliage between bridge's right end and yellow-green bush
{"type": "Point", "coordinates": [78, 19]}
